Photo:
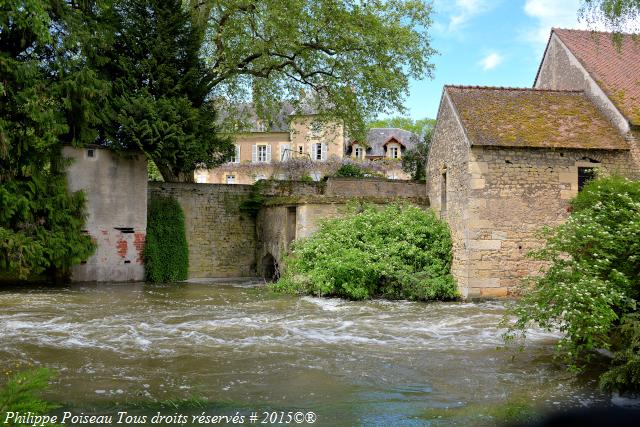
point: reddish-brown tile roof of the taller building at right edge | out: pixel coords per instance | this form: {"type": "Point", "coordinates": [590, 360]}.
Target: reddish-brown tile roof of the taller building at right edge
{"type": "Point", "coordinates": [616, 69]}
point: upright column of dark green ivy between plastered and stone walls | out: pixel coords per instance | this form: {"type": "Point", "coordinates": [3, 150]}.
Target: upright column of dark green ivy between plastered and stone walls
{"type": "Point", "coordinates": [166, 254]}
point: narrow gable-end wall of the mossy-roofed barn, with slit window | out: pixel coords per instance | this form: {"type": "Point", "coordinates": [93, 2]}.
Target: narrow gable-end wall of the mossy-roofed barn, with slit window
{"type": "Point", "coordinates": [448, 185]}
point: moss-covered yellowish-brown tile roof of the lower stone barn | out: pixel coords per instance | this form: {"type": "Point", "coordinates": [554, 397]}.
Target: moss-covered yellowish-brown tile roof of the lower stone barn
{"type": "Point", "coordinates": [510, 117]}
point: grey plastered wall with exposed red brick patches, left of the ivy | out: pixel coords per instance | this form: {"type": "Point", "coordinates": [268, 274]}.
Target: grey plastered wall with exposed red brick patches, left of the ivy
{"type": "Point", "coordinates": [116, 191]}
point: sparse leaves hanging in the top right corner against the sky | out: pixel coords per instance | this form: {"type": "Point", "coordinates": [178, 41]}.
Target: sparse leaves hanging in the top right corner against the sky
{"type": "Point", "coordinates": [617, 15]}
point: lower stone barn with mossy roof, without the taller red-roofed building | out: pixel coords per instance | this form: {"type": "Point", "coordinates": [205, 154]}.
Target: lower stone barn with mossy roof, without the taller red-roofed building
{"type": "Point", "coordinates": [504, 163]}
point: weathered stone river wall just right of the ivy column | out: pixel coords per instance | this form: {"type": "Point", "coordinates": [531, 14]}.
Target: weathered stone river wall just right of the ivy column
{"type": "Point", "coordinates": [221, 238]}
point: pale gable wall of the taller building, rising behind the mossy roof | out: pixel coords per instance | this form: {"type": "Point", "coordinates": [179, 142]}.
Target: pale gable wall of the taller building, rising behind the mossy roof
{"type": "Point", "coordinates": [561, 70]}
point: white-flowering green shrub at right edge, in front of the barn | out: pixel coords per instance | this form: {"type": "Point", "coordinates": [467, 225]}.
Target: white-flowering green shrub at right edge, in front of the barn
{"type": "Point", "coordinates": [591, 286]}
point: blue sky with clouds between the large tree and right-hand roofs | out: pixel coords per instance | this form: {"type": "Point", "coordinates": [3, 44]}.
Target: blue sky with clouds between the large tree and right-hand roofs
{"type": "Point", "coordinates": [488, 43]}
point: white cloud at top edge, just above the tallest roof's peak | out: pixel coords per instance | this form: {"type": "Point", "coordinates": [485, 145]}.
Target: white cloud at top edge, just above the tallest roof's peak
{"type": "Point", "coordinates": [551, 13]}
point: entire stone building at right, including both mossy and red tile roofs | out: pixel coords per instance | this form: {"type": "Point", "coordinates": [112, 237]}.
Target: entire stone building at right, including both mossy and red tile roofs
{"type": "Point", "coordinates": [505, 162]}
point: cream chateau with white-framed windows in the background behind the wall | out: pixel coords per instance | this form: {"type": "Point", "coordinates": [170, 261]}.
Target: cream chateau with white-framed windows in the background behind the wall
{"type": "Point", "coordinates": [263, 150]}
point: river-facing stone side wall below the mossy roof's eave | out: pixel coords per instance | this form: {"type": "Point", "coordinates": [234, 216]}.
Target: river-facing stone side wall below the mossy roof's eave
{"type": "Point", "coordinates": [514, 193]}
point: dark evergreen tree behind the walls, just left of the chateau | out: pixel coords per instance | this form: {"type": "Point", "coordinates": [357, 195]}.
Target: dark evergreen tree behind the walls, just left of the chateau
{"type": "Point", "coordinates": [159, 99]}
